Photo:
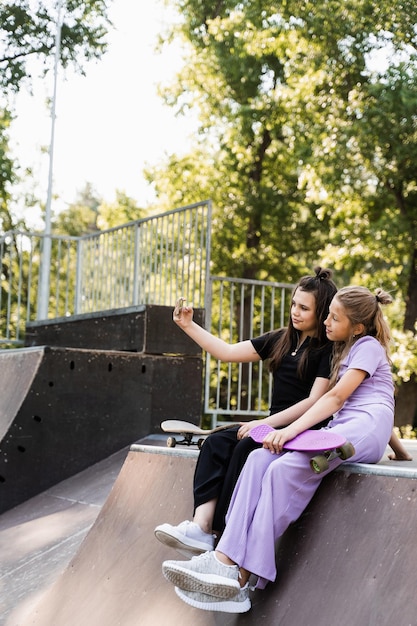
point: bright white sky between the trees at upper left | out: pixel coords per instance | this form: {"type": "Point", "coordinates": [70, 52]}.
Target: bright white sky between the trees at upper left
{"type": "Point", "coordinates": [110, 123]}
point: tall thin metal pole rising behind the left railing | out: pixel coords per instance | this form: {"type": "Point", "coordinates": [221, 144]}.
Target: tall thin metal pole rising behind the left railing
{"type": "Point", "coordinates": [43, 294]}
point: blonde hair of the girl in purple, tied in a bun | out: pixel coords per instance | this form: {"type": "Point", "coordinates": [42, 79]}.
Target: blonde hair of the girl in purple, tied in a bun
{"type": "Point", "coordinates": [362, 307]}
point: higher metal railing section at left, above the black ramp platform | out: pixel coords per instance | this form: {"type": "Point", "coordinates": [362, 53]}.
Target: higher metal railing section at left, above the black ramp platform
{"type": "Point", "coordinates": [149, 261]}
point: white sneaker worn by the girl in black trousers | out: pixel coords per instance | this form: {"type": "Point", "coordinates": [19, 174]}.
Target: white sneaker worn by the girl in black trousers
{"type": "Point", "coordinates": [187, 538]}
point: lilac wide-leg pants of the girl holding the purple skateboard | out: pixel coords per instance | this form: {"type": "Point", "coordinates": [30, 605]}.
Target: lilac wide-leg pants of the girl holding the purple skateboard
{"type": "Point", "coordinates": [273, 491]}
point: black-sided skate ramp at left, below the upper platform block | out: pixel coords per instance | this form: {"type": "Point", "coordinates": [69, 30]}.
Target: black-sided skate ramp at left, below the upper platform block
{"type": "Point", "coordinates": [64, 409]}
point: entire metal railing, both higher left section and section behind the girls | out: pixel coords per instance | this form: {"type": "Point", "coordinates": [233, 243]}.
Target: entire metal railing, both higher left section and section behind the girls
{"type": "Point", "coordinates": [149, 261]}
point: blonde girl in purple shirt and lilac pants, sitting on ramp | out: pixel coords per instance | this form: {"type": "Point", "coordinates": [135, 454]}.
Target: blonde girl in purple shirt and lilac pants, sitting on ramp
{"type": "Point", "coordinates": [275, 487]}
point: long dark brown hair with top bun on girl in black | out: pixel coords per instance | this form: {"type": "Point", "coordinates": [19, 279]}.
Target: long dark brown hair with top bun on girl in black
{"type": "Point", "coordinates": [323, 288]}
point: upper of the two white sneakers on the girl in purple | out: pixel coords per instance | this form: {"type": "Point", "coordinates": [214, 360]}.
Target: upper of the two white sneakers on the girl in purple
{"type": "Point", "coordinates": [204, 573]}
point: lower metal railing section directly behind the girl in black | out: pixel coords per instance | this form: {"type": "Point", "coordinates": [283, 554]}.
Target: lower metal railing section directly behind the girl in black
{"type": "Point", "coordinates": [242, 309]}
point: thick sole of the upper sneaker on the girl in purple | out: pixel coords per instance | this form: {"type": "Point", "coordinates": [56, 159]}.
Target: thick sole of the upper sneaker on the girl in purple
{"type": "Point", "coordinates": [210, 584]}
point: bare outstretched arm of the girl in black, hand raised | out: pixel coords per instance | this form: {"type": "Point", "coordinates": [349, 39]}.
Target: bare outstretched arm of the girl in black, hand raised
{"type": "Point", "coordinates": [241, 352]}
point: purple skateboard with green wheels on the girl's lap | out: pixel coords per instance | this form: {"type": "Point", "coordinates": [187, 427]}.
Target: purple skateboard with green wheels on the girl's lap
{"type": "Point", "coordinates": [330, 445]}
